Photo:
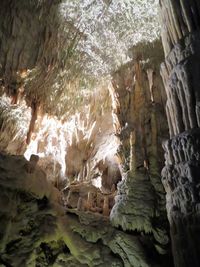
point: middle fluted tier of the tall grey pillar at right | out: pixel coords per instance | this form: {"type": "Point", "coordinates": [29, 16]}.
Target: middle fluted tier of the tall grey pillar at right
{"type": "Point", "coordinates": [181, 77]}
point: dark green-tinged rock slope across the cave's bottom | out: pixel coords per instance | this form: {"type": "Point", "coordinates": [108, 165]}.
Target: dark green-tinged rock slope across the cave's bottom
{"type": "Point", "coordinates": [35, 230]}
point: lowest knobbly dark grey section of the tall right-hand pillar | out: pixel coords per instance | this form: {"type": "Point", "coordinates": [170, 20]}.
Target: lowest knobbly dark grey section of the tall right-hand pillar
{"type": "Point", "coordinates": [181, 181]}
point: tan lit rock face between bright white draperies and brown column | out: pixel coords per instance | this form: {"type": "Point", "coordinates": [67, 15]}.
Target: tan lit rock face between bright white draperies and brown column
{"type": "Point", "coordinates": [91, 152]}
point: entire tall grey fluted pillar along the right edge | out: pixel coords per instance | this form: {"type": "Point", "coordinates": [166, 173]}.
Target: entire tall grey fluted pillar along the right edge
{"type": "Point", "coordinates": [180, 71]}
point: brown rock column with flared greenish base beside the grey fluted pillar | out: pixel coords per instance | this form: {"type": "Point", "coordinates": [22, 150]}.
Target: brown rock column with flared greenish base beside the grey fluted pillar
{"type": "Point", "coordinates": [141, 125]}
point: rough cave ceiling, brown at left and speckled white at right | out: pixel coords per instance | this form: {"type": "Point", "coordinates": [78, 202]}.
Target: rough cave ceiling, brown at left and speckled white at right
{"type": "Point", "coordinates": [63, 49]}
